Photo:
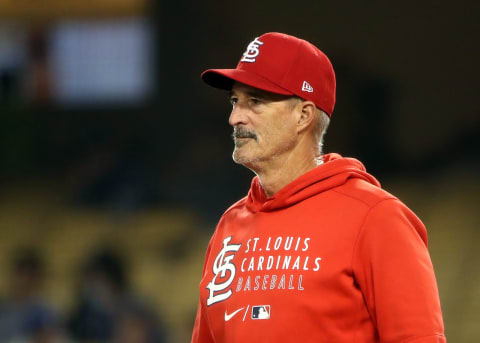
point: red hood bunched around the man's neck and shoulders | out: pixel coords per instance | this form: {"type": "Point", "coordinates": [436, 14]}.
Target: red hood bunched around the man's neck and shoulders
{"type": "Point", "coordinates": [335, 171]}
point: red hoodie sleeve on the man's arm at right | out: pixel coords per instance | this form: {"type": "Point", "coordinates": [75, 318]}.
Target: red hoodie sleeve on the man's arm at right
{"type": "Point", "coordinates": [393, 269]}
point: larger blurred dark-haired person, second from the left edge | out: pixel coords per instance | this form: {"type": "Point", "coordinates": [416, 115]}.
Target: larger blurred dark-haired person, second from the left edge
{"type": "Point", "coordinates": [106, 309]}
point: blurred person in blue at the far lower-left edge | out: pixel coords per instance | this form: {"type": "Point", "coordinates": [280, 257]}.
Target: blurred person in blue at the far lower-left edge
{"type": "Point", "coordinates": [25, 316]}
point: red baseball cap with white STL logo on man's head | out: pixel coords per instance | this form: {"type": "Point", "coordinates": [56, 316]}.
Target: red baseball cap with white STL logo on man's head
{"type": "Point", "coordinates": [283, 64]}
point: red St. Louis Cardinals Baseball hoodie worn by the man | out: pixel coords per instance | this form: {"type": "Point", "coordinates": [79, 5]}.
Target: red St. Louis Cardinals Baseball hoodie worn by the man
{"type": "Point", "coordinates": [331, 257]}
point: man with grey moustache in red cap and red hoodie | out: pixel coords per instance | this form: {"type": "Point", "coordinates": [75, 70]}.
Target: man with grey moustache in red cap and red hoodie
{"type": "Point", "coordinates": [317, 251]}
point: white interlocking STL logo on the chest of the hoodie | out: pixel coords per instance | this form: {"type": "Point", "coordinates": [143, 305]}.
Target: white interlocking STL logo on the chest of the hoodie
{"type": "Point", "coordinates": [221, 281]}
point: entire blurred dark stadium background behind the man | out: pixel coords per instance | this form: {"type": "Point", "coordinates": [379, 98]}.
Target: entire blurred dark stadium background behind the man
{"type": "Point", "coordinates": [115, 159]}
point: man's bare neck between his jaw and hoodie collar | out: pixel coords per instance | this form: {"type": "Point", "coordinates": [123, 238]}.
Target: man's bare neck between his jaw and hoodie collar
{"type": "Point", "coordinates": [282, 170]}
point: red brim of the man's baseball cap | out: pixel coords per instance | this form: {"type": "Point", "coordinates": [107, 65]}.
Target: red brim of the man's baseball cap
{"type": "Point", "coordinates": [224, 78]}
